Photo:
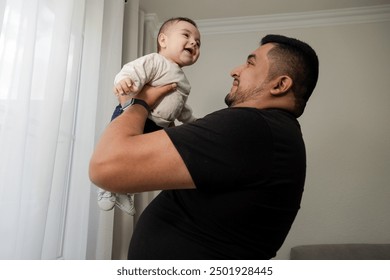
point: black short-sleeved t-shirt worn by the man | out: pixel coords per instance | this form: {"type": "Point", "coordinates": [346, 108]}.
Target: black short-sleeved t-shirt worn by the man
{"type": "Point", "coordinates": [249, 169]}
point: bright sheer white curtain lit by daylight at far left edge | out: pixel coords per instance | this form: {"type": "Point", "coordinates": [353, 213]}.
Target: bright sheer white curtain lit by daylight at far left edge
{"type": "Point", "coordinates": [40, 54]}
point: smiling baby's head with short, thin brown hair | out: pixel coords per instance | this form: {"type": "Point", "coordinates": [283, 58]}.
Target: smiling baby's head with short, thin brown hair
{"type": "Point", "coordinates": [179, 41]}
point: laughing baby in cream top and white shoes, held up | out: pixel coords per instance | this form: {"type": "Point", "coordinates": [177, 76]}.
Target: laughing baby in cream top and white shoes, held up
{"type": "Point", "coordinates": [178, 45]}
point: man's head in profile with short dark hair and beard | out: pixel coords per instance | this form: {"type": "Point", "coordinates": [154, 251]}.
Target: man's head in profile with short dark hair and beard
{"type": "Point", "coordinates": [281, 73]}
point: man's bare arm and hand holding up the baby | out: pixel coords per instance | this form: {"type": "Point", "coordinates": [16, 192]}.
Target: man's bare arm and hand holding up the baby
{"type": "Point", "coordinates": [127, 161]}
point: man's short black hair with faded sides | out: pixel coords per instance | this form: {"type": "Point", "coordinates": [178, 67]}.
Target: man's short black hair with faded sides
{"type": "Point", "coordinates": [297, 60]}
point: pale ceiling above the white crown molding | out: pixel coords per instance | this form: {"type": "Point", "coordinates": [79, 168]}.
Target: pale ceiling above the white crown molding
{"type": "Point", "coordinates": [210, 9]}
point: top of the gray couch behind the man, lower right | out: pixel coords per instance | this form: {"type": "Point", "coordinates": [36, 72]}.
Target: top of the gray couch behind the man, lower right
{"type": "Point", "coordinates": [341, 252]}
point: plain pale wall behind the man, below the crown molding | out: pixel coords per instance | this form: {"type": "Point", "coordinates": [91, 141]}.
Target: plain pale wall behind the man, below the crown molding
{"type": "Point", "coordinates": [345, 126]}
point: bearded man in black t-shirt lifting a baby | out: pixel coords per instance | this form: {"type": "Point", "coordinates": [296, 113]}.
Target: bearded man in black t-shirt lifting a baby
{"type": "Point", "coordinates": [232, 181]}
